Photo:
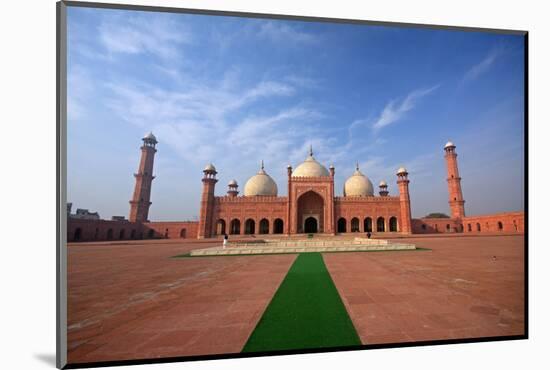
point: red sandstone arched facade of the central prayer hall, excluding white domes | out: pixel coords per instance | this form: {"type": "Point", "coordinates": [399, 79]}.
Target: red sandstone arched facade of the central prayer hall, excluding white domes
{"type": "Point", "coordinates": [311, 206]}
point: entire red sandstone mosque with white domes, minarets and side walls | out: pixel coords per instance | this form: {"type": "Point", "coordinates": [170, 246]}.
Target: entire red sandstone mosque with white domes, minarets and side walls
{"type": "Point", "coordinates": [311, 206]}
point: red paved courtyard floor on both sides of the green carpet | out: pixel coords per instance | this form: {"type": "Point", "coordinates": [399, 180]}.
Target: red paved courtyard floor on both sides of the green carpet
{"type": "Point", "coordinates": [131, 300]}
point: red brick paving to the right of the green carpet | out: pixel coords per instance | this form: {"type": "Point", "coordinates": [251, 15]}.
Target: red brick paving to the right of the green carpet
{"type": "Point", "coordinates": [456, 290]}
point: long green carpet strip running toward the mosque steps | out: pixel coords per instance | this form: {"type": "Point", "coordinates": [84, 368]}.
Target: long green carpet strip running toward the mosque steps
{"type": "Point", "coordinates": [306, 312]}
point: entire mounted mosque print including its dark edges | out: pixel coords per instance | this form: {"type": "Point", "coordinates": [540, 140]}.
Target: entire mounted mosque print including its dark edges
{"type": "Point", "coordinates": [238, 185]}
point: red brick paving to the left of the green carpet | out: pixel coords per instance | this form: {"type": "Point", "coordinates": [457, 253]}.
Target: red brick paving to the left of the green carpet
{"type": "Point", "coordinates": [131, 301]}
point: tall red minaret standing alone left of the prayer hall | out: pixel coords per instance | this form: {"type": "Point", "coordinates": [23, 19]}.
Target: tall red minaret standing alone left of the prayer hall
{"type": "Point", "coordinates": [141, 200]}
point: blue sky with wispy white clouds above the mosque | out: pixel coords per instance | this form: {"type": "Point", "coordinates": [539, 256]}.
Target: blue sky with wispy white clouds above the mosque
{"type": "Point", "coordinates": [234, 91]}
